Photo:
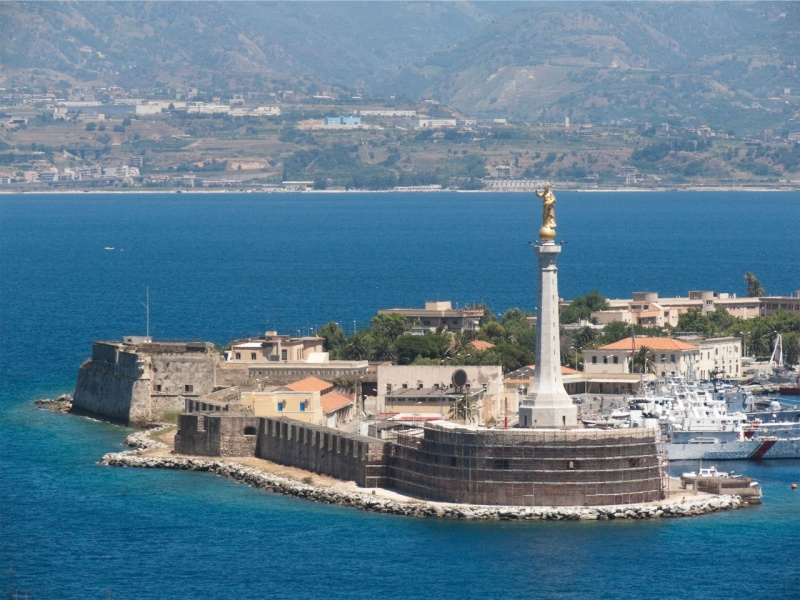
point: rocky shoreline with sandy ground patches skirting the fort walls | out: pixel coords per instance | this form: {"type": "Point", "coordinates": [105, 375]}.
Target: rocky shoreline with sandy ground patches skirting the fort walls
{"type": "Point", "coordinates": [151, 453]}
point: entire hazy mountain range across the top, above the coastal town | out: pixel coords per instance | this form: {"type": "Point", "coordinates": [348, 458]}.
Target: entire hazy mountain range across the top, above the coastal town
{"type": "Point", "coordinates": [722, 63]}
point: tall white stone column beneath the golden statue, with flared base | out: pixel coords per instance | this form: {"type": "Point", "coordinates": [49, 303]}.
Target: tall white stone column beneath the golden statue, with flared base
{"type": "Point", "coordinates": [547, 403]}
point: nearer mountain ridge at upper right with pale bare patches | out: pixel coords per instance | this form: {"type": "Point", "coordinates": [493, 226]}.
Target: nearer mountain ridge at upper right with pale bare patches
{"type": "Point", "coordinates": [712, 60]}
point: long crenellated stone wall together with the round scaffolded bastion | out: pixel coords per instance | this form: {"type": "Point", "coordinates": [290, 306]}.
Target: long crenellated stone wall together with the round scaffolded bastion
{"type": "Point", "coordinates": [466, 465]}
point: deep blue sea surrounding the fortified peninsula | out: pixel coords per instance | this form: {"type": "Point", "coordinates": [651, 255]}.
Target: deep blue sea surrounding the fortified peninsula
{"type": "Point", "coordinates": [222, 266]}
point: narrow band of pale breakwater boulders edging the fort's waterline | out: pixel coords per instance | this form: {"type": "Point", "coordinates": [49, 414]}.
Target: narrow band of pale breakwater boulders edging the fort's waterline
{"type": "Point", "coordinates": [372, 502]}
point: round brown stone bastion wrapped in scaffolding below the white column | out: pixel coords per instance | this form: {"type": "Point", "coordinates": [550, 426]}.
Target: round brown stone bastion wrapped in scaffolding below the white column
{"type": "Point", "coordinates": [528, 467]}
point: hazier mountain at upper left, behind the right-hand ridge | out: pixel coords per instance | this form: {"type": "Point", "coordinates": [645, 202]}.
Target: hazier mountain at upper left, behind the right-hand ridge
{"type": "Point", "coordinates": [226, 44]}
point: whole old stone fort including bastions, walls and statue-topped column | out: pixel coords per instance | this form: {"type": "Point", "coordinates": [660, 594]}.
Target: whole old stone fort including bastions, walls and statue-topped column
{"type": "Point", "coordinates": [269, 399]}
